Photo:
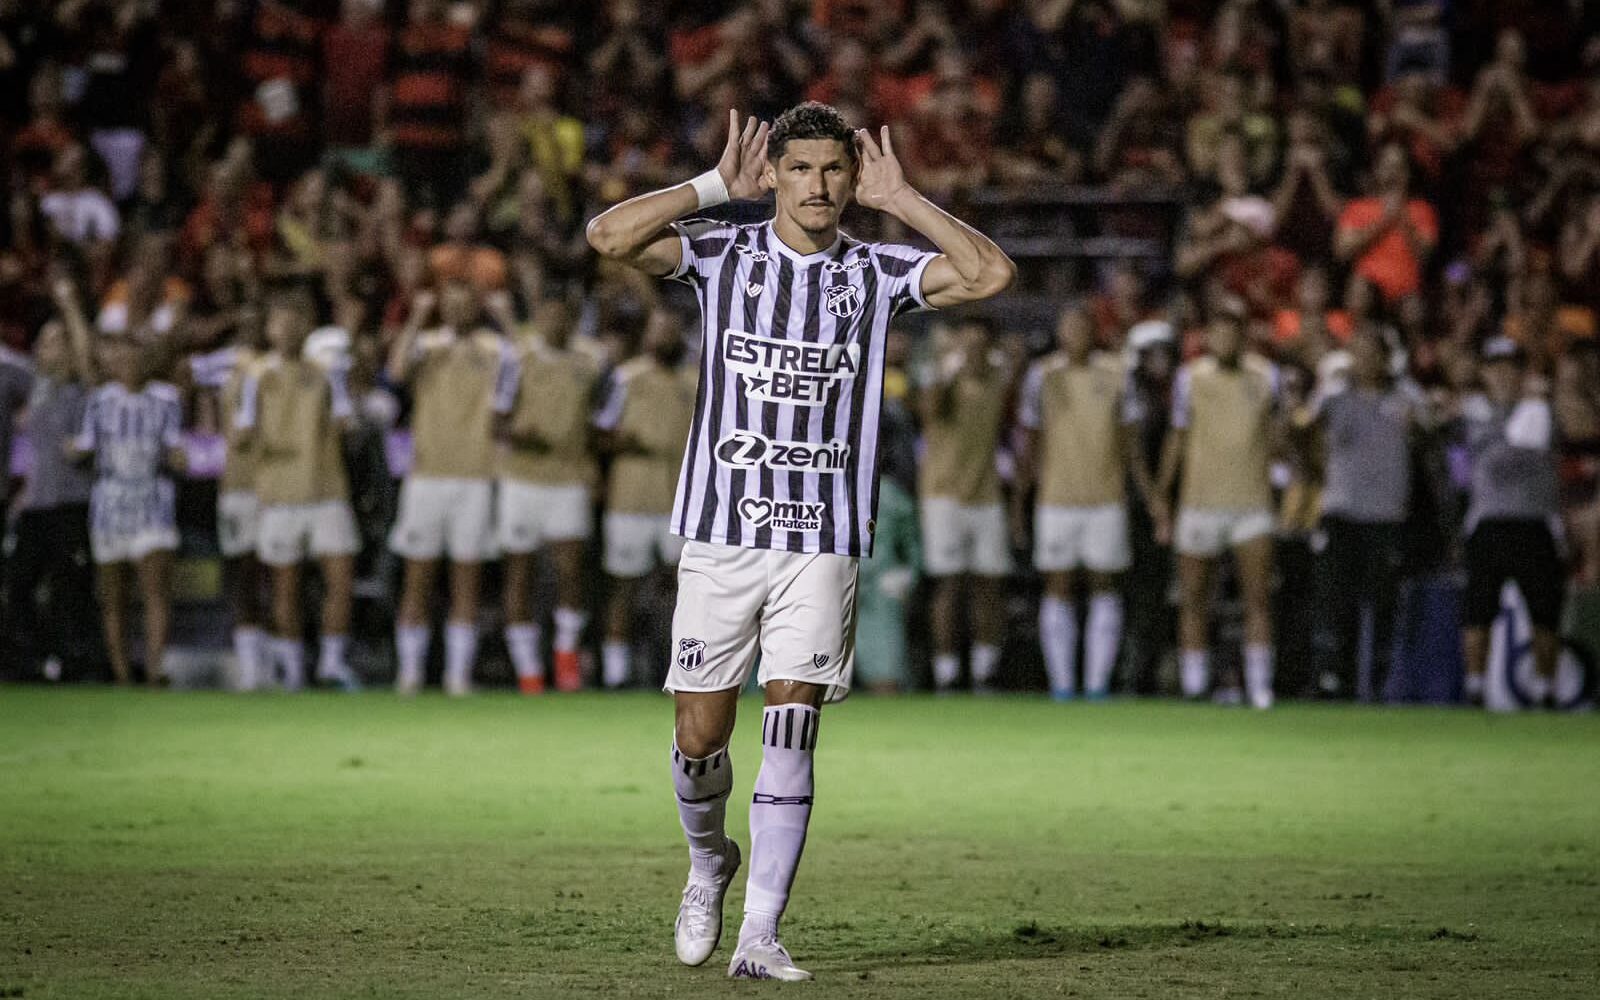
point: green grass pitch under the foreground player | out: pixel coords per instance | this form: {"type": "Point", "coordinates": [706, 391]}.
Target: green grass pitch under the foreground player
{"type": "Point", "coordinates": [204, 846]}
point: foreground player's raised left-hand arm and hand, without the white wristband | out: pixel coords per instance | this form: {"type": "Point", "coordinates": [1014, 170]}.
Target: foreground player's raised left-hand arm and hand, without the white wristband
{"type": "Point", "coordinates": [638, 233]}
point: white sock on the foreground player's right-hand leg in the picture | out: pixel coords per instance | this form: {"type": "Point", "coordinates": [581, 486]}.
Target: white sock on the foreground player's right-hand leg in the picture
{"type": "Point", "coordinates": [780, 814]}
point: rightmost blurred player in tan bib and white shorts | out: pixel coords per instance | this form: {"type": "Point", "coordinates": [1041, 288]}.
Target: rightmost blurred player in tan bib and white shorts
{"type": "Point", "coordinates": [1223, 436]}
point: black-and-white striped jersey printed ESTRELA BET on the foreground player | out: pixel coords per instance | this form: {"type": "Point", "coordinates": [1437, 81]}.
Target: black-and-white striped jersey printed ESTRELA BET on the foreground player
{"type": "Point", "coordinates": [783, 449]}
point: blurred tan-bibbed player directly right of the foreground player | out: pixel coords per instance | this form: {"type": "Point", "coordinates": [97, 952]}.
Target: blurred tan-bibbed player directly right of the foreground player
{"type": "Point", "coordinates": [964, 530]}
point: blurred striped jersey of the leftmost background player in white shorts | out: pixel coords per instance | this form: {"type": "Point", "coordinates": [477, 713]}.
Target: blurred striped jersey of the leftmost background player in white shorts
{"type": "Point", "coordinates": [130, 431]}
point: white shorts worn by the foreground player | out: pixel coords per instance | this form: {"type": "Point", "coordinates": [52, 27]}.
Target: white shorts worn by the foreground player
{"type": "Point", "coordinates": [796, 609]}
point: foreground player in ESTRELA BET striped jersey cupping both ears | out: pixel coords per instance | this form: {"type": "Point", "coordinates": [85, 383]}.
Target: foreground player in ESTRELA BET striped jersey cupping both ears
{"type": "Point", "coordinates": [778, 484]}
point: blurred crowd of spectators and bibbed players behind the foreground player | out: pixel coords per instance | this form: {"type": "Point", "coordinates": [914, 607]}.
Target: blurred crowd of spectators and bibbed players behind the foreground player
{"type": "Point", "coordinates": [1394, 202]}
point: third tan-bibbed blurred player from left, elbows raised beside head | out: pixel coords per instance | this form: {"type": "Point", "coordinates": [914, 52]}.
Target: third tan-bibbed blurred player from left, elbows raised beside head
{"type": "Point", "coordinates": [447, 500]}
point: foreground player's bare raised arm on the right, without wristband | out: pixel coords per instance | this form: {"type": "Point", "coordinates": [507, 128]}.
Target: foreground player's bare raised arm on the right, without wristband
{"type": "Point", "coordinates": [970, 266]}
